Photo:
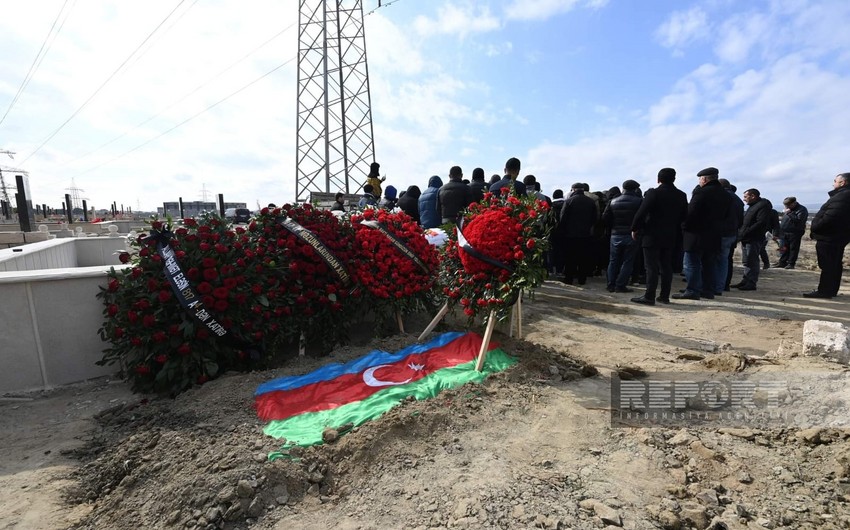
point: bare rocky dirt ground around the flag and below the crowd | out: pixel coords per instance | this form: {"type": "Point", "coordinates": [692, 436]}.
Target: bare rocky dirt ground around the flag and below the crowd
{"type": "Point", "coordinates": [533, 447]}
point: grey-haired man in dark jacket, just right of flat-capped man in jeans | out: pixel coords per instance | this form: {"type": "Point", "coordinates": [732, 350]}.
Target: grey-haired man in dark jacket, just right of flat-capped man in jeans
{"type": "Point", "coordinates": [757, 221]}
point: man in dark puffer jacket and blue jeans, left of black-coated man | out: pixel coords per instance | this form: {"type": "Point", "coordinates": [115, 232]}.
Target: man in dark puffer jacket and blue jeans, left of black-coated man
{"type": "Point", "coordinates": [618, 217]}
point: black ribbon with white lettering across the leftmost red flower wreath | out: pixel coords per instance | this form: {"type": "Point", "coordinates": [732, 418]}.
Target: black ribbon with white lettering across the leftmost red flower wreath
{"type": "Point", "coordinates": [189, 299]}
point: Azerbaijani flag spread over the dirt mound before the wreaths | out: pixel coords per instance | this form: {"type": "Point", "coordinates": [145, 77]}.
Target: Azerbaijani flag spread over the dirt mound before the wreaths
{"type": "Point", "coordinates": [300, 407]}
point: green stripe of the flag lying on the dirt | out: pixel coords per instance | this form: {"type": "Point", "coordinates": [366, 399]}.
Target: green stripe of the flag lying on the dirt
{"type": "Point", "coordinates": [306, 429]}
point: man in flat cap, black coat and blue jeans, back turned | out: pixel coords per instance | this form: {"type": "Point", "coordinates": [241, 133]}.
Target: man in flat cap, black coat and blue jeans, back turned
{"type": "Point", "coordinates": [701, 235]}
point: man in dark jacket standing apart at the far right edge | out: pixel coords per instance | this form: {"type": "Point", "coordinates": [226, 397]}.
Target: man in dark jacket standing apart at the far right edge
{"type": "Point", "coordinates": [831, 230]}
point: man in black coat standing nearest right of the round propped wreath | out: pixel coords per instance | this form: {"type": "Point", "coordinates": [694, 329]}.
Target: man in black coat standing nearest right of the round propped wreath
{"type": "Point", "coordinates": [575, 235]}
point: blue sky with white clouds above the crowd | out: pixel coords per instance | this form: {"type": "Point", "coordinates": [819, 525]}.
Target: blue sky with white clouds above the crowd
{"type": "Point", "coordinates": [139, 103]}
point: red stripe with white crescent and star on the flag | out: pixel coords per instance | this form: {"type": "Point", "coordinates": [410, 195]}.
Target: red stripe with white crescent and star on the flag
{"type": "Point", "coordinates": [347, 388]}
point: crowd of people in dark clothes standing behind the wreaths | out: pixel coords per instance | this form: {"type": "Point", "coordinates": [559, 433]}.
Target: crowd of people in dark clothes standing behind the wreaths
{"type": "Point", "coordinates": [631, 237]}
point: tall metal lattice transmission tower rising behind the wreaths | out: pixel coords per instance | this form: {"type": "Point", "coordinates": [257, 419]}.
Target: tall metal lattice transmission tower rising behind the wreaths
{"type": "Point", "coordinates": [334, 117]}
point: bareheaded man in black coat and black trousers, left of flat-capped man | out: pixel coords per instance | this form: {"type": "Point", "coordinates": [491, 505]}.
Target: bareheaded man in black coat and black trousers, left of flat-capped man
{"type": "Point", "coordinates": [658, 223]}
